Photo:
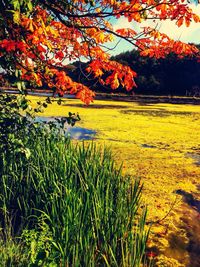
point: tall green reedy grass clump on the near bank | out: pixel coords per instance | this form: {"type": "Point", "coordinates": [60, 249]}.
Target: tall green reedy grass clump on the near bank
{"type": "Point", "coordinates": [68, 205]}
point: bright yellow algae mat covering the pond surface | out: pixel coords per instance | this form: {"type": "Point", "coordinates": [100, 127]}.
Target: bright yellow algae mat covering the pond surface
{"type": "Point", "coordinates": [161, 144]}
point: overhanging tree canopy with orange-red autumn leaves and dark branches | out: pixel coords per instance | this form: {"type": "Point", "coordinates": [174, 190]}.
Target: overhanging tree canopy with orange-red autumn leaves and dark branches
{"type": "Point", "coordinates": [40, 38]}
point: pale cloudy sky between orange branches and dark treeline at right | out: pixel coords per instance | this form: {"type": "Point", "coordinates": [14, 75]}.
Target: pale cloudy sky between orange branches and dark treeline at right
{"type": "Point", "coordinates": [189, 34]}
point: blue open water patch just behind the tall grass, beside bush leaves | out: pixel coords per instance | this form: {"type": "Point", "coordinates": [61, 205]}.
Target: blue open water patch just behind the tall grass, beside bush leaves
{"type": "Point", "coordinates": [74, 132]}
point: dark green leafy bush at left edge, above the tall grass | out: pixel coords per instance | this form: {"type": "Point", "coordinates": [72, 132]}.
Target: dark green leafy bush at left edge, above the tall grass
{"type": "Point", "coordinates": [17, 122]}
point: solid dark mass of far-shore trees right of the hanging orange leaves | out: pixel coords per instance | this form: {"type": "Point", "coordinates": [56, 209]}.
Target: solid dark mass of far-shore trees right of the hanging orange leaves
{"type": "Point", "coordinates": [165, 76]}
